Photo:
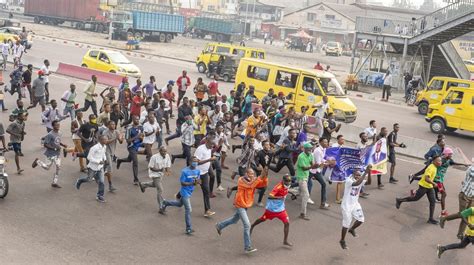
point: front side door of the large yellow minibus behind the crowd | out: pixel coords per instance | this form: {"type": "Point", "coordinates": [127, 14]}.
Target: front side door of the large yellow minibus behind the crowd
{"type": "Point", "coordinates": [308, 93]}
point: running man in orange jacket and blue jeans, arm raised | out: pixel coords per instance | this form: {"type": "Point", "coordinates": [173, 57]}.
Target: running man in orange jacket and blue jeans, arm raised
{"type": "Point", "coordinates": [243, 200]}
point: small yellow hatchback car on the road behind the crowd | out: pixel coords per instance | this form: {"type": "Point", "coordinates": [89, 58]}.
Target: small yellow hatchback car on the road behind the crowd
{"type": "Point", "coordinates": [111, 62]}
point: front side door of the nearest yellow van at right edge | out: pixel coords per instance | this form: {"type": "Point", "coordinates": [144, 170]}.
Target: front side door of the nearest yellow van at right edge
{"type": "Point", "coordinates": [452, 108]}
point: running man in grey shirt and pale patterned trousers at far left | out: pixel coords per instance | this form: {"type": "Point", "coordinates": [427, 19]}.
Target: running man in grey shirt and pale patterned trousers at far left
{"type": "Point", "coordinates": [53, 144]}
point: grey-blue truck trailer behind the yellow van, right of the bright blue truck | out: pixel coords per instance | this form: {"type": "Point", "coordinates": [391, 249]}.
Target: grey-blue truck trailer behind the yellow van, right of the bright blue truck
{"type": "Point", "coordinates": [220, 29]}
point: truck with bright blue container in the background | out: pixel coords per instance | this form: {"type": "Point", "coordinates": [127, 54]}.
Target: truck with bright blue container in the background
{"type": "Point", "coordinates": [151, 25]}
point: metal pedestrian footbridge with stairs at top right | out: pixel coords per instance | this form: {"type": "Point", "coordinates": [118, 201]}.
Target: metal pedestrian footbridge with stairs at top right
{"type": "Point", "coordinates": [428, 36]}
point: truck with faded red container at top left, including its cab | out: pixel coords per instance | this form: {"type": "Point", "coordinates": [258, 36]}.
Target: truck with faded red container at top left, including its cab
{"type": "Point", "coordinates": [89, 15]}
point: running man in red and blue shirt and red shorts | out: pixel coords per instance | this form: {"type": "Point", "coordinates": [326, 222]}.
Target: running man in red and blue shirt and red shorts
{"type": "Point", "coordinates": [275, 208]}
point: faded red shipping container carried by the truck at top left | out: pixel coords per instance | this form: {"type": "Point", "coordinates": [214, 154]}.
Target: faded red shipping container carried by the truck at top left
{"type": "Point", "coordinates": [77, 10]}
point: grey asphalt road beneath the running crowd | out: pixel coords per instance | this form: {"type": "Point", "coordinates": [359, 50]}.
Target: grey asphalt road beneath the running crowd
{"type": "Point", "coordinates": [43, 225]}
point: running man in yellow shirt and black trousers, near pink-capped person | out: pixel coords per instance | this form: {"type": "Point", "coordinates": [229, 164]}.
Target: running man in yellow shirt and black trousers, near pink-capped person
{"type": "Point", "coordinates": [426, 185]}
